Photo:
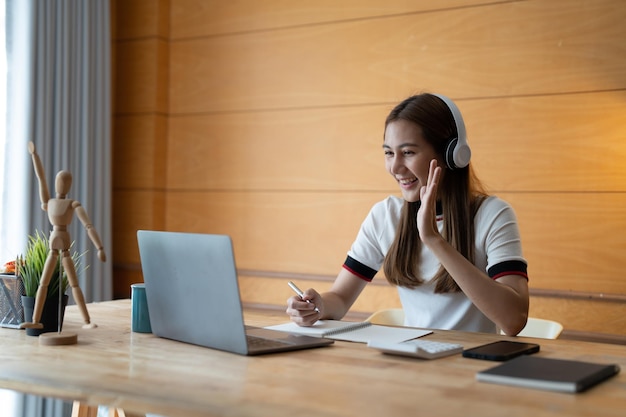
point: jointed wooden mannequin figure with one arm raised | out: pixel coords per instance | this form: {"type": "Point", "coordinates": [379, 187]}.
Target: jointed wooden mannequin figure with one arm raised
{"type": "Point", "coordinates": [60, 213]}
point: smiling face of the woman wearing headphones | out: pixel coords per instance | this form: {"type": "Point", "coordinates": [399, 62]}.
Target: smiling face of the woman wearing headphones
{"type": "Point", "coordinates": [407, 157]}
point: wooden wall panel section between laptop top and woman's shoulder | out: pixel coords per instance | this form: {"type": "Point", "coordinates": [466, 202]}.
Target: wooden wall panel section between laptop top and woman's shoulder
{"type": "Point", "coordinates": [301, 232]}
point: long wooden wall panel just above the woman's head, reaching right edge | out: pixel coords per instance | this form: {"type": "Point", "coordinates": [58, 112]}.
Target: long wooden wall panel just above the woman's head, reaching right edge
{"type": "Point", "coordinates": [520, 48]}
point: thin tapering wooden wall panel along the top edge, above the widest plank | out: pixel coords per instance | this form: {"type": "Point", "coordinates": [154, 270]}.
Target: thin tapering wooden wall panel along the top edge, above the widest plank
{"type": "Point", "coordinates": [213, 17]}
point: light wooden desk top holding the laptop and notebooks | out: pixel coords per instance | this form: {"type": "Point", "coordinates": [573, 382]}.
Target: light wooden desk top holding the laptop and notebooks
{"type": "Point", "coordinates": [141, 373]}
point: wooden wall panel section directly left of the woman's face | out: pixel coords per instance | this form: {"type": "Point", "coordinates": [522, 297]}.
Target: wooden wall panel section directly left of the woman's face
{"type": "Point", "coordinates": [312, 149]}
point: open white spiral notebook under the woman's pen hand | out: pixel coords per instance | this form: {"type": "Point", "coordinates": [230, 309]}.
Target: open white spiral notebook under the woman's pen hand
{"type": "Point", "coordinates": [361, 332]}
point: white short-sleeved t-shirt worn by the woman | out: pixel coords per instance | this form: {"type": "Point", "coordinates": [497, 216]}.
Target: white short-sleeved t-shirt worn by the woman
{"type": "Point", "coordinates": [498, 251]}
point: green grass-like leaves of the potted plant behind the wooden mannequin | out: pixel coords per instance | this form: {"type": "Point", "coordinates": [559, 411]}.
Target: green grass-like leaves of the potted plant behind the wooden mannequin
{"type": "Point", "coordinates": [30, 266]}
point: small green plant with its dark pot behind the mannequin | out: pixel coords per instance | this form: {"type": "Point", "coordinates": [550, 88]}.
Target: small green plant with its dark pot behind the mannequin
{"type": "Point", "coordinates": [29, 268]}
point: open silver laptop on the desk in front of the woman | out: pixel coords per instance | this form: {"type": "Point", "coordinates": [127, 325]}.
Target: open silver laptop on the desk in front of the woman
{"type": "Point", "coordinates": [193, 295]}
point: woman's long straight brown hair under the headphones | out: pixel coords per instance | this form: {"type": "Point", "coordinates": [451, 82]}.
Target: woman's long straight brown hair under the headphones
{"type": "Point", "coordinates": [460, 195]}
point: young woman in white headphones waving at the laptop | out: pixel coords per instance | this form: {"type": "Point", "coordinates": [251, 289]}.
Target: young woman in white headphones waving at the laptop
{"type": "Point", "coordinates": [453, 251]}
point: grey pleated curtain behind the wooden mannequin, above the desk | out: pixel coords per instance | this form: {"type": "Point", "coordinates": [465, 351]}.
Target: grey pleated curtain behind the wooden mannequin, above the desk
{"type": "Point", "coordinates": [71, 120]}
